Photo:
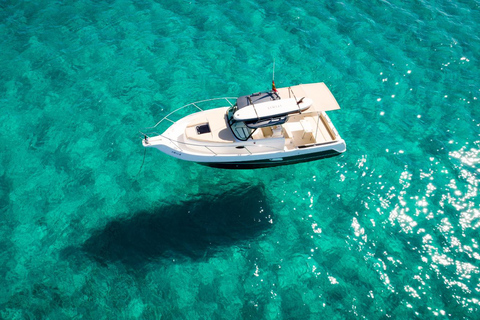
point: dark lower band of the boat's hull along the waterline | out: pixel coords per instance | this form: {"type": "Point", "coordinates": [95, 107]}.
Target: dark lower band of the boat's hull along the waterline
{"type": "Point", "coordinates": [269, 163]}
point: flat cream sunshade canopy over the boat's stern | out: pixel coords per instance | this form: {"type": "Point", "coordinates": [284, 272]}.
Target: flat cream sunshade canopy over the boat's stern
{"type": "Point", "coordinates": [323, 100]}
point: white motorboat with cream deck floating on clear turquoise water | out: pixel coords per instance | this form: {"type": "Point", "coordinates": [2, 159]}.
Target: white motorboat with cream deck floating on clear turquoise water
{"type": "Point", "coordinates": [265, 129]}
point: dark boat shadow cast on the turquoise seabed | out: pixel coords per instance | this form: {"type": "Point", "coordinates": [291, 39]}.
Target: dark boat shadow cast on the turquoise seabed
{"type": "Point", "coordinates": [194, 229]}
